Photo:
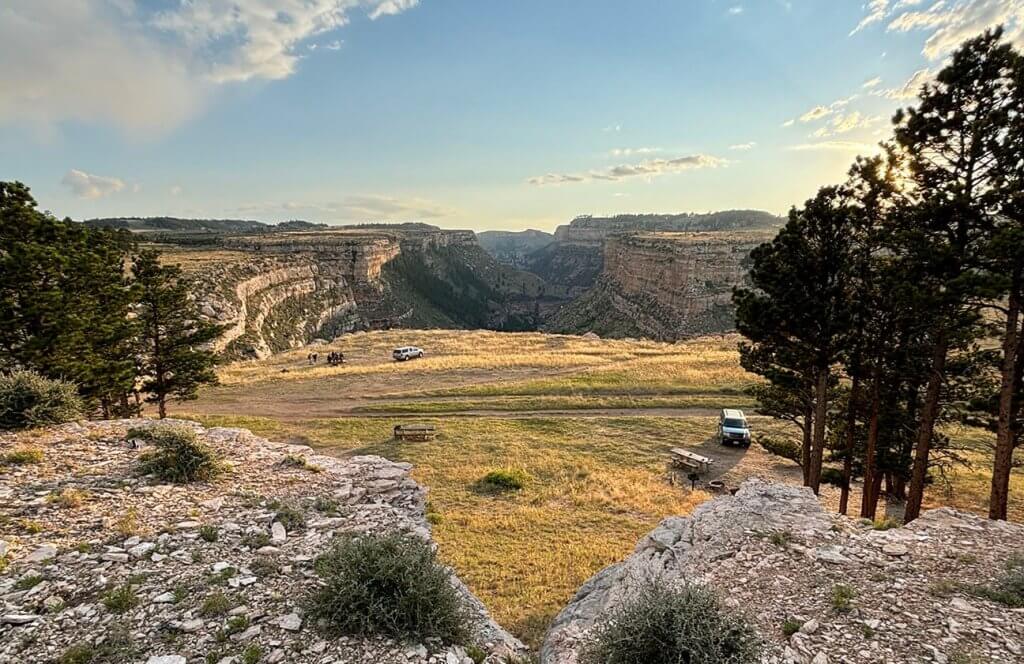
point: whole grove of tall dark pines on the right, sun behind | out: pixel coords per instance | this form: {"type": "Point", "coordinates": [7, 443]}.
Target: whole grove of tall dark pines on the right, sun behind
{"type": "Point", "coordinates": [890, 306]}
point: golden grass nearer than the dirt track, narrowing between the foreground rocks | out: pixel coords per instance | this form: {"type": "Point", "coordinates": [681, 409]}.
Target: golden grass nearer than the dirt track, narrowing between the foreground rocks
{"type": "Point", "coordinates": [595, 488]}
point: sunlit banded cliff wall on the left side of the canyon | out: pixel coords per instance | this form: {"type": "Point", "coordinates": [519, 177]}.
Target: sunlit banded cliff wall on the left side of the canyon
{"type": "Point", "coordinates": [291, 288]}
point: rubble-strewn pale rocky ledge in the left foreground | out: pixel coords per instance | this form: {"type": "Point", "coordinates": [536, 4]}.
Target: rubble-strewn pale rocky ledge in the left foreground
{"type": "Point", "coordinates": [206, 572]}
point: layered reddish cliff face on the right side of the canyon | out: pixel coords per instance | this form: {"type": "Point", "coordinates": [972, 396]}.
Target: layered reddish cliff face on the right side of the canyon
{"type": "Point", "coordinates": [664, 285]}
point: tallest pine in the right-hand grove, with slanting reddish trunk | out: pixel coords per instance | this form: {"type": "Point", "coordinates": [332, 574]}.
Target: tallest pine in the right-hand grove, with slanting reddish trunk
{"type": "Point", "coordinates": [952, 143]}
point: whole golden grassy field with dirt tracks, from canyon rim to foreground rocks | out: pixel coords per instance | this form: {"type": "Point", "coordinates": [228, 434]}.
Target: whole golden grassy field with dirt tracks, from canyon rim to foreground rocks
{"type": "Point", "coordinates": [557, 408]}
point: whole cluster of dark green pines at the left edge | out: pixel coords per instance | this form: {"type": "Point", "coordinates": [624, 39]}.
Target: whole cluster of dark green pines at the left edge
{"type": "Point", "coordinates": [84, 305]}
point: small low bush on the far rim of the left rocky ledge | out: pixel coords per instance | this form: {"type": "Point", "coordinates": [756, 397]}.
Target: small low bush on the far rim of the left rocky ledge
{"type": "Point", "coordinates": [179, 456]}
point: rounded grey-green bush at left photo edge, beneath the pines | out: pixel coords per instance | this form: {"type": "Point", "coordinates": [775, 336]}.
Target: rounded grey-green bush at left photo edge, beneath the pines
{"type": "Point", "coordinates": [28, 400]}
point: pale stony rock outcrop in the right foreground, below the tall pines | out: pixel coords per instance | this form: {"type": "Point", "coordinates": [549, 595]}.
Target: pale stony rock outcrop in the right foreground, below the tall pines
{"type": "Point", "coordinates": [775, 554]}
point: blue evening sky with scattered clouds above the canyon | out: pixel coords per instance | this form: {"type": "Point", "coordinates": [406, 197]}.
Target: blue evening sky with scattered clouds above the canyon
{"type": "Point", "coordinates": [476, 114]}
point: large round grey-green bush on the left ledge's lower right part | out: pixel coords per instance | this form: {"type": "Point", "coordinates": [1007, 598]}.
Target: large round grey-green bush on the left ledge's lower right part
{"type": "Point", "coordinates": [391, 586]}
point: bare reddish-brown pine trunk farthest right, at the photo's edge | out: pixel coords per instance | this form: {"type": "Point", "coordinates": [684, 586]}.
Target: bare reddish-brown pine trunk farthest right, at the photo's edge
{"type": "Point", "coordinates": [1003, 463]}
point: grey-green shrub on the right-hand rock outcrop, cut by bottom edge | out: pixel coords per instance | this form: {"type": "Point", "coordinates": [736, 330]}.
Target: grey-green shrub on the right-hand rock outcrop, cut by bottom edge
{"type": "Point", "coordinates": [667, 626]}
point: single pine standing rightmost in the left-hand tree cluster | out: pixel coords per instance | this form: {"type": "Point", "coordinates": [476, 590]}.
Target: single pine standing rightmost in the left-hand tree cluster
{"type": "Point", "coordinates": [175, 362]}
